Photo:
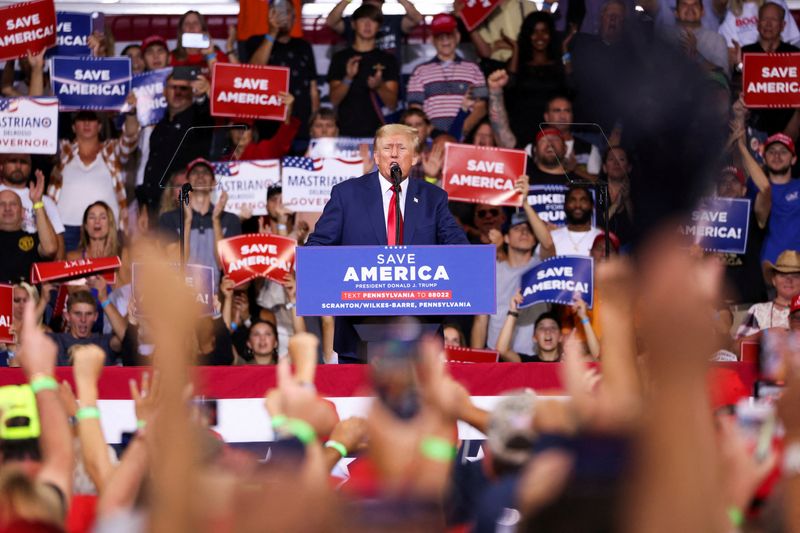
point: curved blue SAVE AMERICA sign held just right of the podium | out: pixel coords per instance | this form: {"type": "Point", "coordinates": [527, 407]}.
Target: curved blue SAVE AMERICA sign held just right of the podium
{"type": "Point", "coordinates": [556, 280]}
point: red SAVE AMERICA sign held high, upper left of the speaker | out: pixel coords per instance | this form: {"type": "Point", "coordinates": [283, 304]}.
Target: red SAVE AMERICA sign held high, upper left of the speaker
{"type": "Point", "coordinates": [249, 91]}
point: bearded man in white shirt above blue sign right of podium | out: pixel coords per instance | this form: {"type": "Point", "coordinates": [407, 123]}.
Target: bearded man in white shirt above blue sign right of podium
{"type": "Point", "coordinates": [577, 236]}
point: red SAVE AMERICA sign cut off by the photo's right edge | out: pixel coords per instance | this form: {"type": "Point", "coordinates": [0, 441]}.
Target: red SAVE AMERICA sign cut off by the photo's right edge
{"type": "Point", "coordinates": [771, 80]}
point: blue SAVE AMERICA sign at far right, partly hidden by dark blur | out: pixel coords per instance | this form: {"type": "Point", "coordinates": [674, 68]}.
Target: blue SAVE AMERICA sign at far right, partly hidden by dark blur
{"type": "Point", "coordinates": [720, 225]}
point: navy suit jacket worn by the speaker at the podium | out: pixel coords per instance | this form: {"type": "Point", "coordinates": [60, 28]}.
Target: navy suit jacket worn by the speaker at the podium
{"type": "Point", "coordinates": [354, 217]}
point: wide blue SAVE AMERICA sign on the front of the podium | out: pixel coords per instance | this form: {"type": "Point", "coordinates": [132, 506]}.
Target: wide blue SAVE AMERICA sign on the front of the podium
{"type": "Point", "coordinates": [395, 280]}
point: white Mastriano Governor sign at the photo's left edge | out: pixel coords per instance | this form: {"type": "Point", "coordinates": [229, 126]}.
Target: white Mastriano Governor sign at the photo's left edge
{"type": "Point", "coordinates": [29, 125]}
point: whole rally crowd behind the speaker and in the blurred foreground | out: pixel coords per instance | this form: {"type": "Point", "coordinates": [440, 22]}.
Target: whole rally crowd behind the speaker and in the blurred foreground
{"type": "Point", "coordinates": [565, 86]}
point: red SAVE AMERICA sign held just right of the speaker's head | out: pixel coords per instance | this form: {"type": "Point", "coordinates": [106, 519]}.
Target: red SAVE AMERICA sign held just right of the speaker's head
{"type": "Point", "coordinates": [482, 174]}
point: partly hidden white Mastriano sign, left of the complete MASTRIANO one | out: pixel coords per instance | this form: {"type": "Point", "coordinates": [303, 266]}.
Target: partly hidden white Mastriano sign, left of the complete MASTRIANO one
{"type": "Point", "coordinates": [246, 183]}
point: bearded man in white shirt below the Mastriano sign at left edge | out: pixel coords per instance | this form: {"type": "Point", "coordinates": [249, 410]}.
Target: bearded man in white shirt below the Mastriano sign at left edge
{"type": "Point", "coordinates": [15, 176]}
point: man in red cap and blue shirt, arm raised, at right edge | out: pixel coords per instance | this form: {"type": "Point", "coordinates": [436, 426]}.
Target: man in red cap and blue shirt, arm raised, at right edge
{"type": "Point", "coordinates": [778, 201]}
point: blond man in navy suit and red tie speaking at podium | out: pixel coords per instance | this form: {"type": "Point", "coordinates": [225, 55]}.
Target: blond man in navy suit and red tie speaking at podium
{"type": "Point", "coordinates": [362, 212]}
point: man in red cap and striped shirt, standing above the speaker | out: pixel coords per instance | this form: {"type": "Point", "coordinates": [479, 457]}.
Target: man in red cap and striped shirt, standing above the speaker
{"type": "Point", "coordinates": [438, 86]}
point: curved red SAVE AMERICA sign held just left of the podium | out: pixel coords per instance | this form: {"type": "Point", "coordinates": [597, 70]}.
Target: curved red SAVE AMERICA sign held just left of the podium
{"type": "Point", "coordinates": [255, 255]}
